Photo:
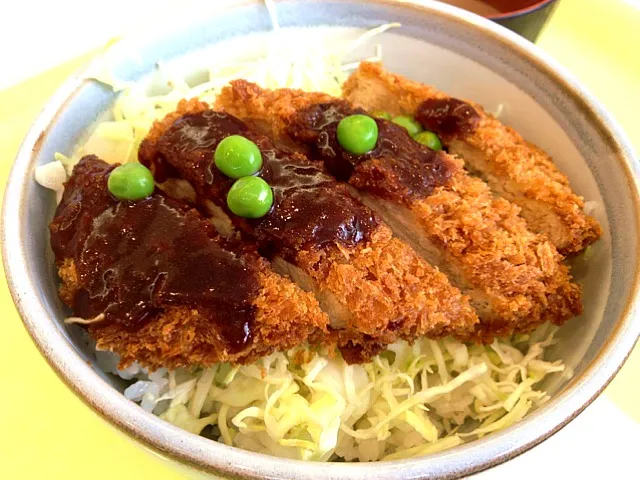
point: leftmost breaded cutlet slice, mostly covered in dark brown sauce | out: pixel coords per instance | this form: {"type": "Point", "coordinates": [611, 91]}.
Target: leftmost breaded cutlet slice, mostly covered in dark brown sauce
{"type": "Point", "coordinates": [156, 284]}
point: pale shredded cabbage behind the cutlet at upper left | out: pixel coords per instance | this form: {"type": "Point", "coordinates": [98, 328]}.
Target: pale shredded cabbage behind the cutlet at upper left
{"type": "Point", "coordinates": [306, 66]}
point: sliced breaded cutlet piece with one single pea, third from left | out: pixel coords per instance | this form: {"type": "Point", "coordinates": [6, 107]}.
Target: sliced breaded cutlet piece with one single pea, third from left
{"type": "Point", "coordinates": [515, 278]}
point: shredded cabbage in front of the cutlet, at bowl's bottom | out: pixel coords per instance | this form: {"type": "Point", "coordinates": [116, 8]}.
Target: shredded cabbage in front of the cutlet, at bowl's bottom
{"type": "Point", "coordinates": [409, 401]}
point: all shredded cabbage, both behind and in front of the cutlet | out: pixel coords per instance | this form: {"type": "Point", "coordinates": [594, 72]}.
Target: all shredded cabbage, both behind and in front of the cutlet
{"type": "Point", "coordinates": [411, 400]}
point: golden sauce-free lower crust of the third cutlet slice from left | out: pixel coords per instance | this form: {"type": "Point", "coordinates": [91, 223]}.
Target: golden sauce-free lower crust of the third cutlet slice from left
{"type": "Point", "coordinates": [520, 273]}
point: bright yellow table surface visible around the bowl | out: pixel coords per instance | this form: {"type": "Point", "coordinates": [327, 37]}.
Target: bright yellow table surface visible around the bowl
{"type": "Point", "coordinates": [46, 432]}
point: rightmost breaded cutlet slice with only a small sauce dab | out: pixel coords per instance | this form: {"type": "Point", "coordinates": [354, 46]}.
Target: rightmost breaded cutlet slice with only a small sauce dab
{"type": "Point", "coordinates": [514, 169]}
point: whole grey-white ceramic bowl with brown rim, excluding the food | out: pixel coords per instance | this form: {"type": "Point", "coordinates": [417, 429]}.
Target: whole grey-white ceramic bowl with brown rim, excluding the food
{"type": "Point", "coordinates": [459, 52]}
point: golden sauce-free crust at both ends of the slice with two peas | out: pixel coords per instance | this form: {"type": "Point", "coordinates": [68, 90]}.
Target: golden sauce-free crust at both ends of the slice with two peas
{"type": "Point", "coordinates": [389, 291]}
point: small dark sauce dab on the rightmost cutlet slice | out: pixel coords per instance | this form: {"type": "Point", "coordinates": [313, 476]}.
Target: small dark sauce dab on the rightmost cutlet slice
{"type": "Point", "coordinates": [447, 117]}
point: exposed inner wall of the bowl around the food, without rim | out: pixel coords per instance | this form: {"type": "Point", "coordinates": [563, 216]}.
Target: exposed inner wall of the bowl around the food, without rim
{"type": "Point", "coordinates": [418, 59]}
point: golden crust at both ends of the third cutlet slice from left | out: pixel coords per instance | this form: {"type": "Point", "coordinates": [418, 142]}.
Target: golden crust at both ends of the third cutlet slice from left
{"type": "Point", "coordinates": [516, 276]}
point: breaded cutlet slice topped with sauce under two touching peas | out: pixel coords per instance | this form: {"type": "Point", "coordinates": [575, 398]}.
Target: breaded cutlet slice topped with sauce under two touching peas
{"type": "Point", "coordinates": [374, 287]}
